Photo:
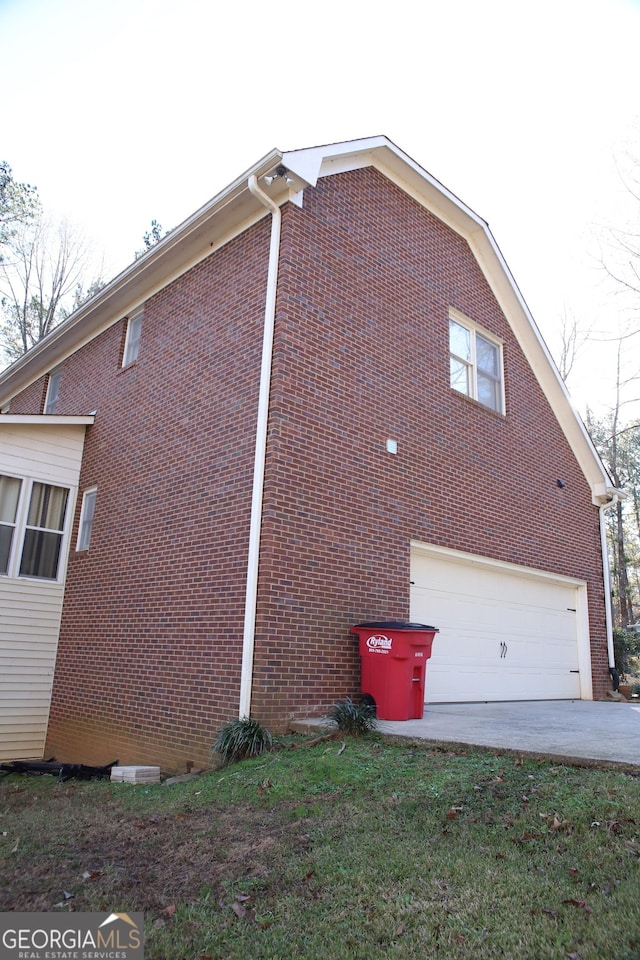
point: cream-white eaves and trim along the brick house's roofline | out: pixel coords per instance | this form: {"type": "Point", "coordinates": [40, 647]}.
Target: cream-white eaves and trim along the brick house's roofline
{"type": "Point", "coordinates": [233, 209]}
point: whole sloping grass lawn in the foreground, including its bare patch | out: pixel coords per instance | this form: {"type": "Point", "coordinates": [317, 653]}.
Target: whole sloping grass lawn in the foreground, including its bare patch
{"type": "Point", "coordinates": [369, 850]}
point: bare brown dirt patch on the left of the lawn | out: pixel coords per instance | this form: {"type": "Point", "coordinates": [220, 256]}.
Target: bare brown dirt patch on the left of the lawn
{"type": "Point", "coordinates": [110, 856]}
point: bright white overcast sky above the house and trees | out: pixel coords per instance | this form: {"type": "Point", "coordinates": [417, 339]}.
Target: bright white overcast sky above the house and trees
{"type": "Point", "coordinates": [124, 111]}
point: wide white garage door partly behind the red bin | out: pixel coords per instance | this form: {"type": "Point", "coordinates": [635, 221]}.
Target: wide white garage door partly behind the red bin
{"type": "Point", "coordinates": [506, 632]}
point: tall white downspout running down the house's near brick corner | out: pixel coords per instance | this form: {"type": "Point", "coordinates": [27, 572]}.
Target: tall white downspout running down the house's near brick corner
{"type": "Point", "coordinates": [248, 642]}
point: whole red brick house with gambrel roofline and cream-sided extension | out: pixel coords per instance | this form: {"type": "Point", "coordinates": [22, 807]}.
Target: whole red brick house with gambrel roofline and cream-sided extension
{"type": "Point", "coordinates": [320, 400]}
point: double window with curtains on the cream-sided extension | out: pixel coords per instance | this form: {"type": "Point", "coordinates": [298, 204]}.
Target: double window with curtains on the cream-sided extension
{"type": "Point", "coordinates": [33, 521]}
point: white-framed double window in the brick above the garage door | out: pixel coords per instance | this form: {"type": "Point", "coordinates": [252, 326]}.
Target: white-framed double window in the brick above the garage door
{"type": "Point", "coordinates": [476, 363]}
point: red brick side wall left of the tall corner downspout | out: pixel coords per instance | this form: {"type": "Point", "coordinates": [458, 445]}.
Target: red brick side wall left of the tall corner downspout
{"type": "Point", "coordinates": [149, 658]}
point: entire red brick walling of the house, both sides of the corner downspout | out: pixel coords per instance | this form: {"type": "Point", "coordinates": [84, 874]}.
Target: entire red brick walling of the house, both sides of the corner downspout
{"type": "Point", "coordinates": [150, 649]}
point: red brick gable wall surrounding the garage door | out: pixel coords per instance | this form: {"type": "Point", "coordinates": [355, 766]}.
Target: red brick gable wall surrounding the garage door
{"type": "Point", "coordinates": [361, 354]}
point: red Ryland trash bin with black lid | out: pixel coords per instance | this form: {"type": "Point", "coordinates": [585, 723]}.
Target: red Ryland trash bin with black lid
{"type": "Point", "coordinates": [393, 656]}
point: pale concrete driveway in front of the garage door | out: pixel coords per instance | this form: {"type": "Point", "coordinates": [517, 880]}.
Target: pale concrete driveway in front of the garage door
{"type": "Point", "coordinates": [567, 729]}
